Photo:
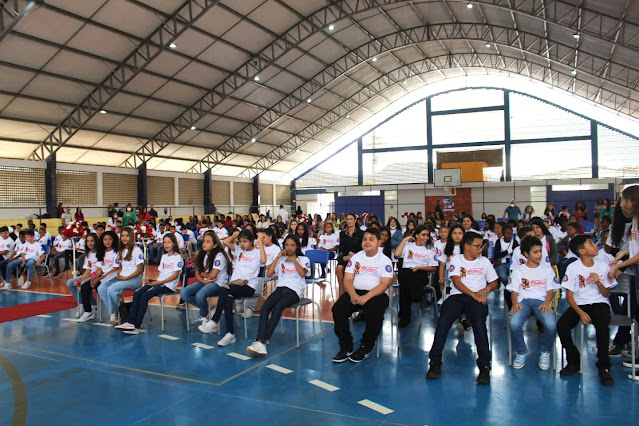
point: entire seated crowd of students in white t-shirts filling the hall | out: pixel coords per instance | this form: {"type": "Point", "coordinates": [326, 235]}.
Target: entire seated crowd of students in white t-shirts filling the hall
{"type": "Point", "coordinates": [232, 259]}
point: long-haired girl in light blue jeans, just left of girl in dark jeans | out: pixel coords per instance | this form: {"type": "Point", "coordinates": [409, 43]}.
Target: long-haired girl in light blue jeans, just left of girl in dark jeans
{"type": "Point", "coordinates": [129, 274]}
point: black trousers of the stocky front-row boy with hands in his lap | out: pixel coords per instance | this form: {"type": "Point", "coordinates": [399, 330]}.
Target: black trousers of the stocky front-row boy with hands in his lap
{"type": "Point", "coordinates": [373, 315]}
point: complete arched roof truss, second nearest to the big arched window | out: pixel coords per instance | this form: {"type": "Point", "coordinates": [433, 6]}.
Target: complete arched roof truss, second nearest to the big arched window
{"type": "Point", "coordinates": [501, 36]}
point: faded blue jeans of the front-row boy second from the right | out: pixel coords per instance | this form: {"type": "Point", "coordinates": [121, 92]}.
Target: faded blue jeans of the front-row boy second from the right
{"type": "Point", "coordinates": [531, 307]}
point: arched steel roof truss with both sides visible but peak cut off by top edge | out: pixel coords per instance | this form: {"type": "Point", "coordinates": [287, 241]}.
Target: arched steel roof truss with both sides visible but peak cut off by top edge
{"type": "Point", "coordinates": [317, 22]}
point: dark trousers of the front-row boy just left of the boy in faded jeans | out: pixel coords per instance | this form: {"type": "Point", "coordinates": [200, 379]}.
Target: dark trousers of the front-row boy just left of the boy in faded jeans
{"type": "Point", "coordinates": [451, 309]}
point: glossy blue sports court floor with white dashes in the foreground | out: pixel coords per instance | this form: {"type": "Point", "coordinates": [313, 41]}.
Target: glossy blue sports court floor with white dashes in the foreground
{"type": "Point", "coordinates": [55, 371]}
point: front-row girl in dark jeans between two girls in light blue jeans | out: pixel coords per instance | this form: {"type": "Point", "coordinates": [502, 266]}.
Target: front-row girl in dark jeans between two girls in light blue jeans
{"type": "Point", "coordinates": [170, 269]}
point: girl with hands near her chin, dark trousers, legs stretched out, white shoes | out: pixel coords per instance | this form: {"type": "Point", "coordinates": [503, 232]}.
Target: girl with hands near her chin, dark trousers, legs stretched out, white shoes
{"type": "Point", "coordinates": [291, 268]}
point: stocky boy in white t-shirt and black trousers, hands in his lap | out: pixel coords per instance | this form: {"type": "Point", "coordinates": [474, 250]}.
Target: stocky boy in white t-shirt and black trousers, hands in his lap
{"type": "Point", "coordinates": [367, 277]}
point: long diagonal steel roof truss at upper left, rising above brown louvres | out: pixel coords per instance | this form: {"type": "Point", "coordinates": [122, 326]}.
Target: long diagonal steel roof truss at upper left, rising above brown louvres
{"type": "Point", "coordinates": [176, 24]}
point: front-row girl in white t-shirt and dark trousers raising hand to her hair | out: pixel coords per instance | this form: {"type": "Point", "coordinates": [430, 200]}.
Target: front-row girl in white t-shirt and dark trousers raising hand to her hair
{"type": "Point", "coordinates": [244, 281]}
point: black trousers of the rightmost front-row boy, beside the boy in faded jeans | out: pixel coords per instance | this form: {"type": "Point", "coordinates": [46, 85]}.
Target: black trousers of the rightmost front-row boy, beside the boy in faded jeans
{"type": "Point", "coordinates": [600, 315]}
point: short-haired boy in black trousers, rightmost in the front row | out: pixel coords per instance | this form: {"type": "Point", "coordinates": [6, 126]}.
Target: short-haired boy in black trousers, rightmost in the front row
{"type": "Point", "coordinates": [587, 286]}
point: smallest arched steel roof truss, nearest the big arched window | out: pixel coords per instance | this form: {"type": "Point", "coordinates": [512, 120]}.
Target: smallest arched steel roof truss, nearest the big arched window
{"type": "Point", "coordinates": [514, 64]}
